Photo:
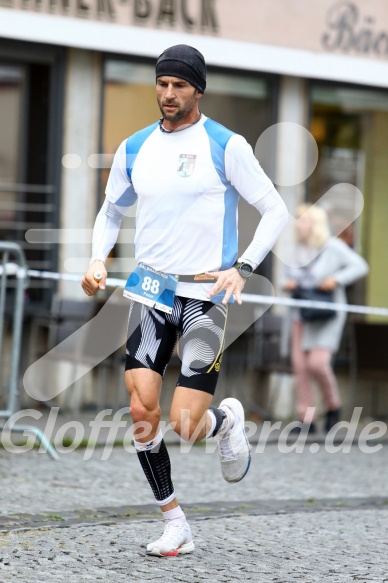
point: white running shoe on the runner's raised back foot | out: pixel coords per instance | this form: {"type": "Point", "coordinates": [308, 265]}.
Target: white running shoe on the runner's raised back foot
{"type": "Point", "coordinates": [233, 446]}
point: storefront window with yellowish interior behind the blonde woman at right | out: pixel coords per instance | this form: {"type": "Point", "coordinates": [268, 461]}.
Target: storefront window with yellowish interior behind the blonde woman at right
{"type": "Point", "coordinates": [350, 126]}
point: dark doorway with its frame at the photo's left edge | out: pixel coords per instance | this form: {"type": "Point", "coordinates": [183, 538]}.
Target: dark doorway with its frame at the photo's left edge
{"type": "Point", "coordinates": [30, 148]}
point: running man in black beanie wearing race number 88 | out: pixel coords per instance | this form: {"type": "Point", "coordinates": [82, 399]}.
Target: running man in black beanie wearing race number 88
{"type": "Point", "coordinates": [186, 173]}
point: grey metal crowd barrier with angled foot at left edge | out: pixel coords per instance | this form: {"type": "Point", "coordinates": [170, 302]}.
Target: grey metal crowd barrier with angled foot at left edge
{"type": "Point", "coordinates": [12, 385]}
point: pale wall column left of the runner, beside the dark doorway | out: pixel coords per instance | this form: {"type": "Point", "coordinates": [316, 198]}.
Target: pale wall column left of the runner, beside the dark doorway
{"type": "Point", "coordinates": [79, 183]}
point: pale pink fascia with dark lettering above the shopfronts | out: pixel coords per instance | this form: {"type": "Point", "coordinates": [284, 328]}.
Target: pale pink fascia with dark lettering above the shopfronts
{"type": "Point", "coordinates": [346, 27]}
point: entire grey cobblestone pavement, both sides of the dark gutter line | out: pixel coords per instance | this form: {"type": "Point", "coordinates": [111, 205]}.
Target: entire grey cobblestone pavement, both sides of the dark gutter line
{"type": "Point", "coordinates": [296, 517]}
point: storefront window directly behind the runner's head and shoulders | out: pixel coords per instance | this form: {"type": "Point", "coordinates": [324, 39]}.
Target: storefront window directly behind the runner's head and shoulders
{"type": "Point", "coordinates": [241, 102]}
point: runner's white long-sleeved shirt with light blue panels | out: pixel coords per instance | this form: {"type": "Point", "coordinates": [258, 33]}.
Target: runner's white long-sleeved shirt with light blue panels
{"type": "Point", "coordinates": [186, 185]}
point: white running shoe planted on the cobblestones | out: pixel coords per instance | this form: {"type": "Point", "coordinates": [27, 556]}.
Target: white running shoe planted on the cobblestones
{"type": "Point", "coordinates": [175, 540]}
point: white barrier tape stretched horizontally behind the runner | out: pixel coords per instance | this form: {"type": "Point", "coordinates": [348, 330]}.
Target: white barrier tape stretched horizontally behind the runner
{"type": "Point", "coordinates": [247, 298]}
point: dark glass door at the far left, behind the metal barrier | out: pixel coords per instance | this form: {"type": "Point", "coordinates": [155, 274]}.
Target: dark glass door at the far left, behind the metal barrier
{"type": "Point", "coordinates": [27, 192]}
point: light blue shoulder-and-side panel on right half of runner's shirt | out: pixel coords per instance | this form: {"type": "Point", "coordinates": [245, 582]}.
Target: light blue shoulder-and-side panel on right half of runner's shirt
{"type": "Point", "coordinates": [219, 137]}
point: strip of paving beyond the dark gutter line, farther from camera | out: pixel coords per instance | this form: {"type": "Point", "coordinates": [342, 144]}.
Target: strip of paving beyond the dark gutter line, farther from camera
{"type": "Point", "coordinates": [34, 483]}
